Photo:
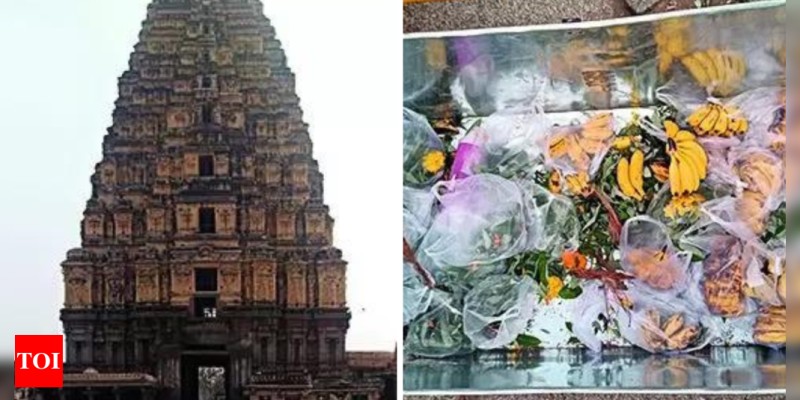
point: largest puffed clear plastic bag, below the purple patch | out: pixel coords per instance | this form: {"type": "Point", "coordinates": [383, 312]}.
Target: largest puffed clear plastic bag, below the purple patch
{"type": "Point", "coordinates": [481, 221]}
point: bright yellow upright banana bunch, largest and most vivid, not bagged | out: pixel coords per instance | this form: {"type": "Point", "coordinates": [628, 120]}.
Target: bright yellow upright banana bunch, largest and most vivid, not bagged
{"type": "Point", "coordinates": [688, 160]}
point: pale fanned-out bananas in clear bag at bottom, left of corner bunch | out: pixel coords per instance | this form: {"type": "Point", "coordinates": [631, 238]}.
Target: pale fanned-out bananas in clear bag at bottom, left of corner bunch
{"type": "Point", "coordinates": [673, 334]}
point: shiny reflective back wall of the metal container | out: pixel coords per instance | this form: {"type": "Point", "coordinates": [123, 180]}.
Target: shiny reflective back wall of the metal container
{"type": "Point", "coordinates": [595, 66]}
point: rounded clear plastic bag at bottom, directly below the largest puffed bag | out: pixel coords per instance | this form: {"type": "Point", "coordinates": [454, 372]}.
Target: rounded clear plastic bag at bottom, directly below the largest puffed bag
{"type": "Point", "coordinates": [498, 309]}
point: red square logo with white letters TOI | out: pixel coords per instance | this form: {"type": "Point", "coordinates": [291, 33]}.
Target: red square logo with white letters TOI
{"type": "Point", "coordinates": [38, 361]}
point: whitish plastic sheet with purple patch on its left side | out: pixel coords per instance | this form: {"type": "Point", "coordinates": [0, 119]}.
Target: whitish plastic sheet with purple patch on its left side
{"type": "Point", "coordinates": [504, 144]}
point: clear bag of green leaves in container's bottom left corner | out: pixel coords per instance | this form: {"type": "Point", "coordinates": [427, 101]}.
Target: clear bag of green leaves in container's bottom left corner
{"type": "Point", "coordinates": [439, 332]}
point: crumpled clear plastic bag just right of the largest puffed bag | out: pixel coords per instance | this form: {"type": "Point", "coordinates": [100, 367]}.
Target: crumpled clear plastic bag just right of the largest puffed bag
{"type": "Point", "coordinates": [553, 224]}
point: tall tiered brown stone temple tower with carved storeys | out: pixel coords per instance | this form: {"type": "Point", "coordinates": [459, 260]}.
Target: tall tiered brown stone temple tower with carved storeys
{"type": "Point", "coordinates": [206, 244]}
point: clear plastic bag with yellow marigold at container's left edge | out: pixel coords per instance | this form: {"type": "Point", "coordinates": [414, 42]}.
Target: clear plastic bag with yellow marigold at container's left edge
{"type": "Point", "coordinates": [423, 151]}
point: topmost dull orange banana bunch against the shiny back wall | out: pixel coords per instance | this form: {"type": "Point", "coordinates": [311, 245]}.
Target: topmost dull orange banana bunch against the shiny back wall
{"type": "Point", "coordinates": [721, 71]}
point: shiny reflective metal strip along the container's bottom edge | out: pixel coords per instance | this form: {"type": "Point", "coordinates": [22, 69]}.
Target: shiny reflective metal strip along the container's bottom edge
{"type": "Point", "coordinates": [714, 369]}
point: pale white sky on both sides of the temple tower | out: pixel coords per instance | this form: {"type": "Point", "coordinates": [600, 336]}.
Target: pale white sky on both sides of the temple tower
{"type": "Point", "coordinates": [58, 83]}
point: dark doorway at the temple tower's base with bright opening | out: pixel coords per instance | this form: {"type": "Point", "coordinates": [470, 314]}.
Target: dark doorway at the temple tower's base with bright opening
{"type": "Point", "coordinates": [205, 375]}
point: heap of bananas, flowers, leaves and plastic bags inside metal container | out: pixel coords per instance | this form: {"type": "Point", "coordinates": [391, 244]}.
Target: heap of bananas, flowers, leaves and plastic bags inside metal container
{"type": "Point", "coordinates": [663, 227]}
